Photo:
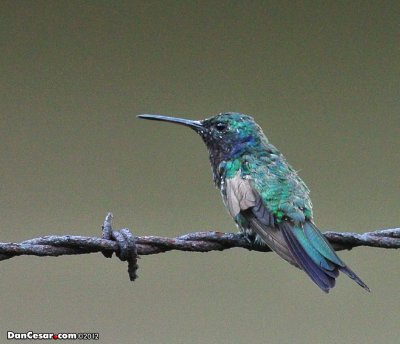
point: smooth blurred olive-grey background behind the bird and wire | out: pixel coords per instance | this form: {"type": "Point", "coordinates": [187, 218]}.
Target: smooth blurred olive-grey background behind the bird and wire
{"type": "Point", "coordinates": [321, 78]}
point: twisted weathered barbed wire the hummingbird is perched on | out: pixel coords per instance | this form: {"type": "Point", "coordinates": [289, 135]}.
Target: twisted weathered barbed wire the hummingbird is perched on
{"type": "Point", "coordinates": [128, 247]}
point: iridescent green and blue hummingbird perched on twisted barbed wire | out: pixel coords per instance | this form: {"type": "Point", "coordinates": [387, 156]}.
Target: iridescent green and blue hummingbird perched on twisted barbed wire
{"type": "Point", "coordinates": [265, 196]}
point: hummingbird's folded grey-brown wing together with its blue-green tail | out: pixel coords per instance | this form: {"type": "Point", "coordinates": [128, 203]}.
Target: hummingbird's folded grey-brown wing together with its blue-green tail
{"type": "Point", "coordinates": [302, 245]}
